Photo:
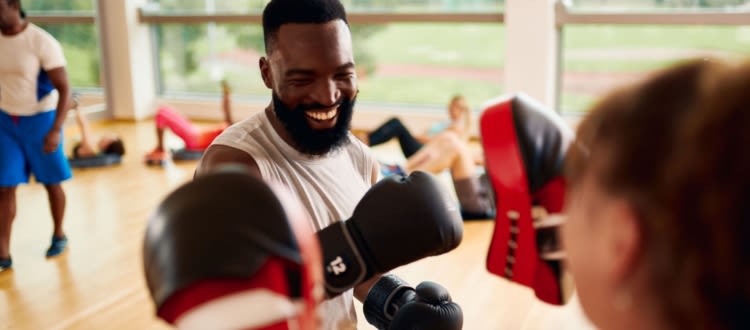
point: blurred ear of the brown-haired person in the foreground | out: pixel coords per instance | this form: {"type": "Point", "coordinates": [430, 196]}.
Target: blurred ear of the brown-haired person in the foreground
{"type": "Point", "coordinates": [625, 239]}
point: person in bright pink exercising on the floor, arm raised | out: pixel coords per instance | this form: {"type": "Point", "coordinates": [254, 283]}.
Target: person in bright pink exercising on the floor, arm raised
{"type": "Point", "coordinates": [196, 140]}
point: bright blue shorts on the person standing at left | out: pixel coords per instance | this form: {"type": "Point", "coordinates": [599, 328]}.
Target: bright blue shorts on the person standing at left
{"type": "Point", "coordinates": [22, 151]}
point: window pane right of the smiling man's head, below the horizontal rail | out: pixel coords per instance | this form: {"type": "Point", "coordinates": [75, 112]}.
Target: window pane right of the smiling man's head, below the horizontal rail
{"type": "Point", "coordinates": [426, 63]}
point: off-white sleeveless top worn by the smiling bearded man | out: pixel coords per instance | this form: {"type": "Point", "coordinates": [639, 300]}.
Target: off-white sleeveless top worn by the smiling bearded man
{"type": "Point", "coordinates": [329, 186]}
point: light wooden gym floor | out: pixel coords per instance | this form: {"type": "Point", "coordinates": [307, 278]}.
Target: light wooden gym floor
{"type": "Point", "coordinates": [98, 283]}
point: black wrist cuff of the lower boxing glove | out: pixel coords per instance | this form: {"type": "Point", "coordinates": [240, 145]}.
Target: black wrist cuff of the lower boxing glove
{"type": "Point", "coordinates": [384, 299]}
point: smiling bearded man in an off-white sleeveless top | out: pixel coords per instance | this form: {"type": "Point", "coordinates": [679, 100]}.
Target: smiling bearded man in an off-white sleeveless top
{"type": "Point", "coordinates": [302, 139]}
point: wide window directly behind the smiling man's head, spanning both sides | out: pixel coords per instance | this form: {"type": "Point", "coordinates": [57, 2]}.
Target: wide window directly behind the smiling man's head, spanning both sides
{"type": "Point", "coordinates": [412, 61]}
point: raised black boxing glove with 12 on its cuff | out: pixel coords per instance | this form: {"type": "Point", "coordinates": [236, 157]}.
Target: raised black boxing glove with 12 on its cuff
{"type": "Point", "coordinates": [398, 221]}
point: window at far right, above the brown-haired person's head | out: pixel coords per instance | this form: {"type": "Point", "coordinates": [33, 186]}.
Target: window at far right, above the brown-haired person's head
{"type": "Point", "coordinates": [618, 50]}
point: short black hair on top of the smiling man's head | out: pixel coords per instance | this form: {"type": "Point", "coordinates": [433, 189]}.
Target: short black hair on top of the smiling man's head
{"type": "Point", "coordinates": [280, 12]}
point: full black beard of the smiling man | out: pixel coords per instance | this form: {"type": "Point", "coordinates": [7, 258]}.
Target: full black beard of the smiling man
{"type": "Point", "coordinates": [307, 140]}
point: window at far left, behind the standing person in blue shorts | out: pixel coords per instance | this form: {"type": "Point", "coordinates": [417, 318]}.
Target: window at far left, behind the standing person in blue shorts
{"type": "Point", "coordinates": [79, 40]}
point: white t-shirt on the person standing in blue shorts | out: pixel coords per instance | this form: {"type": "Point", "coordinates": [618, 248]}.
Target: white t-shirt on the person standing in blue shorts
{"type": "Point", "coordinates": [25, 89]}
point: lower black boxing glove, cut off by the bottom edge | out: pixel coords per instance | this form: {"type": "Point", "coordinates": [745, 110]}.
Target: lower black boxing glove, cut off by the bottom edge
{"type": "Point", "coordinates": [392, 304]}
